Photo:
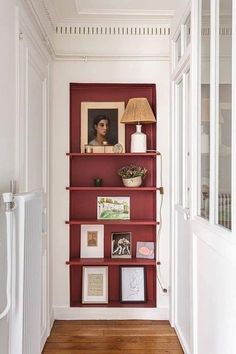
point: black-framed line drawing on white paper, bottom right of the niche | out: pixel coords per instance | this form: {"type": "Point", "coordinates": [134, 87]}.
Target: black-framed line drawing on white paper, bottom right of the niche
{"type": "Point", "coordinates": [133, 284]}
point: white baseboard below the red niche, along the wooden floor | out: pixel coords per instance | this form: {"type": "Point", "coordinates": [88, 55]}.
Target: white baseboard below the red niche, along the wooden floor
{"type": "Point", "coordinates": [95, 313]}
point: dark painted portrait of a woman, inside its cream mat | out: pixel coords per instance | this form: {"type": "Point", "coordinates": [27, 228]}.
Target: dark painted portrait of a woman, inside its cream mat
{"type": "Point", "coordinates": [102, 127]}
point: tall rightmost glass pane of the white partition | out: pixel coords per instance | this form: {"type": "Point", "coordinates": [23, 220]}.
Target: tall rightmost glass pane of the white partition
{"type": "Point", "coordinates": [225, 113]}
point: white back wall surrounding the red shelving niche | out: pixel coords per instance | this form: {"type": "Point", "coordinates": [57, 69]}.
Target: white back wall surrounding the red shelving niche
{"type": "Point", "coordinates": [117, 71]}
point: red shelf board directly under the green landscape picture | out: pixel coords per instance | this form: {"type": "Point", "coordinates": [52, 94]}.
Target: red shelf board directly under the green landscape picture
{"type": "Point", "coordinates": [112, 222]}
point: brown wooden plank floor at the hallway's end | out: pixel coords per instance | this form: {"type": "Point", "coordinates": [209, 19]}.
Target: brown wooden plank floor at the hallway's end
{"type": "Point", "coordinates": [112, 337]}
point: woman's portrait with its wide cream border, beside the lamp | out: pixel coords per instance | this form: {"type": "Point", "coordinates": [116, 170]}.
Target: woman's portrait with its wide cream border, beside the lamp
{"type": "Point", "coordinates": [101, 127]}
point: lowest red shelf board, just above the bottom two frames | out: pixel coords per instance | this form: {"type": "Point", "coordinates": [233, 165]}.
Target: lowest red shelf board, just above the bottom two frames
{"type": "Point", "coordinates": [111, 261]}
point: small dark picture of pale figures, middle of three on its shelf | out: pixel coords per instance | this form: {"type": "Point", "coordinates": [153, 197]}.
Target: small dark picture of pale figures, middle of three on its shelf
{"type": "Point", "coordinates": [121, 245]}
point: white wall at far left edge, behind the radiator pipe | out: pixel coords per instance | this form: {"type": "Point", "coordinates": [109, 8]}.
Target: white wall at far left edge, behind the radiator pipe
{"type": "Point", "coordinates": [7, 137]}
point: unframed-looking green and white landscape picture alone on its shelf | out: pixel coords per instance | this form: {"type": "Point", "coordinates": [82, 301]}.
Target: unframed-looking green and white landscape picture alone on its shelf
{"type": "Point", "coordinates": [113, 208]}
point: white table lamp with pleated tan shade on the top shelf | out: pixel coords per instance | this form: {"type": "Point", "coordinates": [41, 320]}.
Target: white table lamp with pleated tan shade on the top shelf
{"type": "Point", "coordinates": [138, 111]}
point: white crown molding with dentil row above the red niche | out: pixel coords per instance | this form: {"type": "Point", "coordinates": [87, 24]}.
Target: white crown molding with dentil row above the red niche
{"type": "Point", "coordinates": [70, 42]}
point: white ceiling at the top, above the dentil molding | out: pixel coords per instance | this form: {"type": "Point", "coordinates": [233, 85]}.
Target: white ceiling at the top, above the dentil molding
{"type": "Point", "coordinates": [74, 11]}
